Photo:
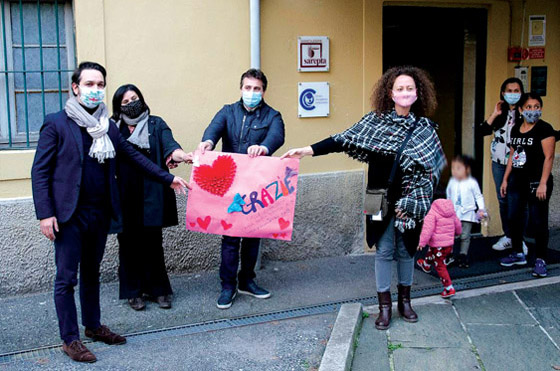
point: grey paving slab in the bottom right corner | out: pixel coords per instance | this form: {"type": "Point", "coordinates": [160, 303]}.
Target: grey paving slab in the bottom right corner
{"type": "Point", "coordinates": [514, 347]}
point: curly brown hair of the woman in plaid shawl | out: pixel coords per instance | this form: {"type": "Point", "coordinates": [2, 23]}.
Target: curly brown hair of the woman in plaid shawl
{"type": "Point", "coordinates": [426, 103]}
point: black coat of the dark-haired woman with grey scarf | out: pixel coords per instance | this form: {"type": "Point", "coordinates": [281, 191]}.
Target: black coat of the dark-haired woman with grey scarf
{"type": "Point", "coordinates": [159, 207]}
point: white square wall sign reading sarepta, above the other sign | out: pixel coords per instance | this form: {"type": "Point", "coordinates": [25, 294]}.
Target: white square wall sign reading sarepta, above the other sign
{"type": "Point", "coordinates": [313, 53]}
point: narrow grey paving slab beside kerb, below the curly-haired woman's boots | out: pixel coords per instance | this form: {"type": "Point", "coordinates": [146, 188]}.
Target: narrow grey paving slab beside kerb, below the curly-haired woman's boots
{"type": "Point", "coordinates": [371, 353]}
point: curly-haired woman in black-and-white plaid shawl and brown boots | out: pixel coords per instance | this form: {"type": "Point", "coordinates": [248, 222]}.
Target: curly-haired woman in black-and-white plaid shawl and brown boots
{"type": "Point", "coordinates": [397, 132]}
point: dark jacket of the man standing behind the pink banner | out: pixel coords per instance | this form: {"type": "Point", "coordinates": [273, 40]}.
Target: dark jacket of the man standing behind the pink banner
{"type": "Point", "coordinates": [239, 129]}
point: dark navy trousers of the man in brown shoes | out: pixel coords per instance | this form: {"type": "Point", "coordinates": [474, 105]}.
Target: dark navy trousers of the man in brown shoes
{"type": "Point", "coordinates": [80, 243]}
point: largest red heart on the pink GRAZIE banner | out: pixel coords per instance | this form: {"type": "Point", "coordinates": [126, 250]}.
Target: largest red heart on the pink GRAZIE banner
{"type": "Point", "coordinates": [218, 177]}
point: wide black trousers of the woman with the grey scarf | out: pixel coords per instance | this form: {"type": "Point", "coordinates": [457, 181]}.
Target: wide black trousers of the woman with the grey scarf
{"type": "Point", "coordinates": [142, 264]}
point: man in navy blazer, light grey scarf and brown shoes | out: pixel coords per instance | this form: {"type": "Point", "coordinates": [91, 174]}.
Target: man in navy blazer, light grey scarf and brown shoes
{"type": "Point", "coordinates": [75, 195]}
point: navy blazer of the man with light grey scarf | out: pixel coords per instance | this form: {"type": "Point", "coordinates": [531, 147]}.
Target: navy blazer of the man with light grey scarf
{"type": "Point", "coordinates": [56, 174]}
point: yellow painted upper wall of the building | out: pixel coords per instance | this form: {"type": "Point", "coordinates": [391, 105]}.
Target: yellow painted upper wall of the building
{"type": "Point", "coordinates": [186, 57]}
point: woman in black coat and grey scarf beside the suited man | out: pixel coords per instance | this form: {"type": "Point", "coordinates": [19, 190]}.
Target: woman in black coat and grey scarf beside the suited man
{"type": "Point", "coordinates": [147, 207]}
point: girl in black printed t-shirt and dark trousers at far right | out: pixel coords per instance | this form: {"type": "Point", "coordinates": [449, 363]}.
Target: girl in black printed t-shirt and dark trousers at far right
{"type": "Point", "coordinates": [528, 181]}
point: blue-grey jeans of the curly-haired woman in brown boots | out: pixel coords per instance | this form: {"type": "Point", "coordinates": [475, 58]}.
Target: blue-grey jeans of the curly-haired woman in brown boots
{"type": "Point", "coordinates": [391, 246]}
